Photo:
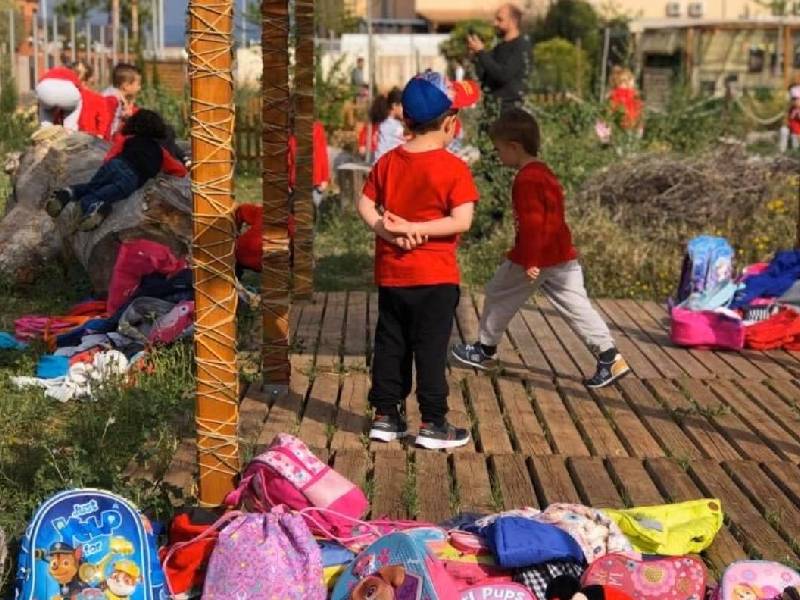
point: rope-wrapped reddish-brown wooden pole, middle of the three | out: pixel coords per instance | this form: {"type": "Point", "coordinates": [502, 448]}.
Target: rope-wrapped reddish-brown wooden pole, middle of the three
{"type": "Point", "coordinates": [276, 272]}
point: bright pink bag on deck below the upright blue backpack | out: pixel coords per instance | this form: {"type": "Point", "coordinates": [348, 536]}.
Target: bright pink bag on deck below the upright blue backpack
{"type": "Point", "coordinates": [707, 329]}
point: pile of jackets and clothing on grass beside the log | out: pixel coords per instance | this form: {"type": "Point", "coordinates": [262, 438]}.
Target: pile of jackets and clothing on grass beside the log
{"type": "Point", "coordinates": [150, 302]}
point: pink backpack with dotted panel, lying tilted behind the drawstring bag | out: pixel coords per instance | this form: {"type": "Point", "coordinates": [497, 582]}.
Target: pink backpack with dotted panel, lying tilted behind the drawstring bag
{"type": "Point", "coordinates": [289, 474]}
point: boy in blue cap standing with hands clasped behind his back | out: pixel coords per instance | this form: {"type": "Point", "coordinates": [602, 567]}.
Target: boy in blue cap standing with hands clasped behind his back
{"type": "Point", "coordinates": [417, 199]}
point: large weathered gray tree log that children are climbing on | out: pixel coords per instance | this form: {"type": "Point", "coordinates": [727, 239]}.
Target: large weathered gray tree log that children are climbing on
{"type": "Point", "coordinates": [29, 238]}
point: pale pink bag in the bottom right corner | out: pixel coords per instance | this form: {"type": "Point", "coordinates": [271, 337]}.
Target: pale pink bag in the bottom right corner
{"type": "Point", "coordinates": [751, 579]}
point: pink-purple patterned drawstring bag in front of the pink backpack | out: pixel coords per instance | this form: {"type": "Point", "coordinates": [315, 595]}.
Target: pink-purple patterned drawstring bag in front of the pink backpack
{"type": "Point", "coordinates": [265, 555]}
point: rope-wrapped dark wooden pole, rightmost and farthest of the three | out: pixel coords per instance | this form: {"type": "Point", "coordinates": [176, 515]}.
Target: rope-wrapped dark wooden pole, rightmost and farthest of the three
{"type": "Point", "coordinates": [303, 267]}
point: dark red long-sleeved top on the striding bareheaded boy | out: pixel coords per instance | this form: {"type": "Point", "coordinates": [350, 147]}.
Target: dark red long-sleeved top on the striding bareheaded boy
{"type": "Point", "coordinates": [543, 238]}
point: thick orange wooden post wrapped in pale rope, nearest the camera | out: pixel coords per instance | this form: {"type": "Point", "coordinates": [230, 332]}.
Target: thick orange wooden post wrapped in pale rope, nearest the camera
{"type": "Point", "coordinates": [212, 118]}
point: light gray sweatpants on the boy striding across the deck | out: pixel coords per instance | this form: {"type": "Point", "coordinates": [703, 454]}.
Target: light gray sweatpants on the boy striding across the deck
{"type": "Point", "coordinates": [563, 285]}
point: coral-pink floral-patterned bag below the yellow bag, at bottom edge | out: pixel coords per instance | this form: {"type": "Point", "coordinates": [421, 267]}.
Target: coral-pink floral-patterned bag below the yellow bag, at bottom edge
{"type": "Point", "coordinates": [672, 578]}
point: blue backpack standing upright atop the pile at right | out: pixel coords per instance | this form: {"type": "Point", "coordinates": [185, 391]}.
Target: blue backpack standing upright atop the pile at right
{"type": "Point", "coordinates": [708, 261]}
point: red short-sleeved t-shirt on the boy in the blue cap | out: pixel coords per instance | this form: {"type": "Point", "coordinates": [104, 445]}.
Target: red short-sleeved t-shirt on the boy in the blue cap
{"type": "Point", "coordinates": [422, 186]}
